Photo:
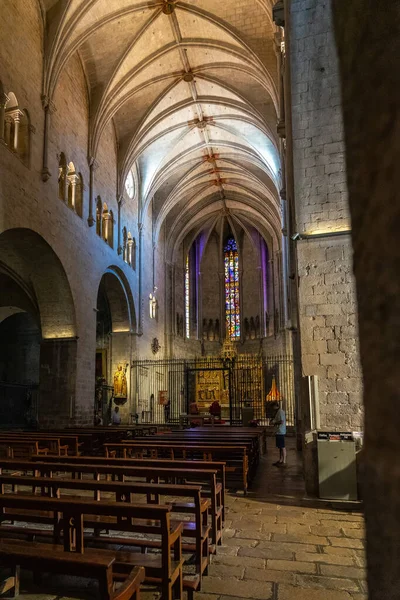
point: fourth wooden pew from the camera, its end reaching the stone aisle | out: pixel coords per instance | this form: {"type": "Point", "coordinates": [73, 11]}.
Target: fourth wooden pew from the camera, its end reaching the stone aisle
{"type": "Point", "coordinates": [148, 474]}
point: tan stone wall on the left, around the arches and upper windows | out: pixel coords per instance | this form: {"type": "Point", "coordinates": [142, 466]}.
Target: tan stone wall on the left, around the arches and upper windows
{"type": "Point", "coordinates": [26, 202]}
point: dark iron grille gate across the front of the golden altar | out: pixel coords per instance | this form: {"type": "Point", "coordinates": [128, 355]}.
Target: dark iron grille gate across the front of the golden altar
{"type": "Point", "coordinates": [164, 389]}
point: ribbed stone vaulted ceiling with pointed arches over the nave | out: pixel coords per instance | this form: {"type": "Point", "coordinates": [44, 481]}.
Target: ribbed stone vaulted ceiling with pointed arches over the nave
{"type": "Point", "coordinates": [192, 90]}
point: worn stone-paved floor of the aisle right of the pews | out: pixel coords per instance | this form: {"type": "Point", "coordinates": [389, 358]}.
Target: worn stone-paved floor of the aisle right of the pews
{"type": "Point", "coordinates": [277, 546]}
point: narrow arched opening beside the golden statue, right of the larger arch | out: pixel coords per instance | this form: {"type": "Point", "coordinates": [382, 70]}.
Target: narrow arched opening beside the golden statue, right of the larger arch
{"type": "Point", "coordinates": [115, 326]}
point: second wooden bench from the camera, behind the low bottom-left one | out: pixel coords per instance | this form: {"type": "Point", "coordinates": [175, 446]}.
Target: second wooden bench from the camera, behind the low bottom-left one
{"type": "Point", "coordinates": [69, 518]}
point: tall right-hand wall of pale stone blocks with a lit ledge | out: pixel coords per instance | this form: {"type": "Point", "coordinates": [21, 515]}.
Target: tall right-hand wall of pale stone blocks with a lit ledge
{"type": "Point", "coordinates": [327, 303]}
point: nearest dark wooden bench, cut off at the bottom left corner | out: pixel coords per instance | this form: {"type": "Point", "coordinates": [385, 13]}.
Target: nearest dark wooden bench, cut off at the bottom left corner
{"type": "Point", "coordinates": [52, 558]}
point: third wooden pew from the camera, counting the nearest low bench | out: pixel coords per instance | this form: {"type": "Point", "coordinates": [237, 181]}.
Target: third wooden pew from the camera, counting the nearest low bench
{"type": "Point", "coordinates": [198, 529]}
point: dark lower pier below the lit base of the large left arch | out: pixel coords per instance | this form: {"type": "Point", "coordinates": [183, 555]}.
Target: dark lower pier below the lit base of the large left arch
{"type": "Point", "coordinates": [57, 382]}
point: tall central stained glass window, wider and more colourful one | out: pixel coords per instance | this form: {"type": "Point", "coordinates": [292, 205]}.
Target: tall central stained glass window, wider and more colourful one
{"type": "Point", "coordinates": [232, 300]}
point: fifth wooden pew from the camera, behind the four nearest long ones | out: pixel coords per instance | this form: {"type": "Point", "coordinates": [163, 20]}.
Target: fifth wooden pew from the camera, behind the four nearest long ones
{"type": "Point", "coordinates": [235, 456]}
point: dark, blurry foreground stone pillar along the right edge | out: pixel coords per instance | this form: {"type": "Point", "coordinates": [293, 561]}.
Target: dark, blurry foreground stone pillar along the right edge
{"type": "Point", "coordinates": [368, 41]}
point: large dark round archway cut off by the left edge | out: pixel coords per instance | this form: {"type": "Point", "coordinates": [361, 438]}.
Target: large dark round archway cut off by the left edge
{"type": "Point", "coordinates": [38, 341]}
